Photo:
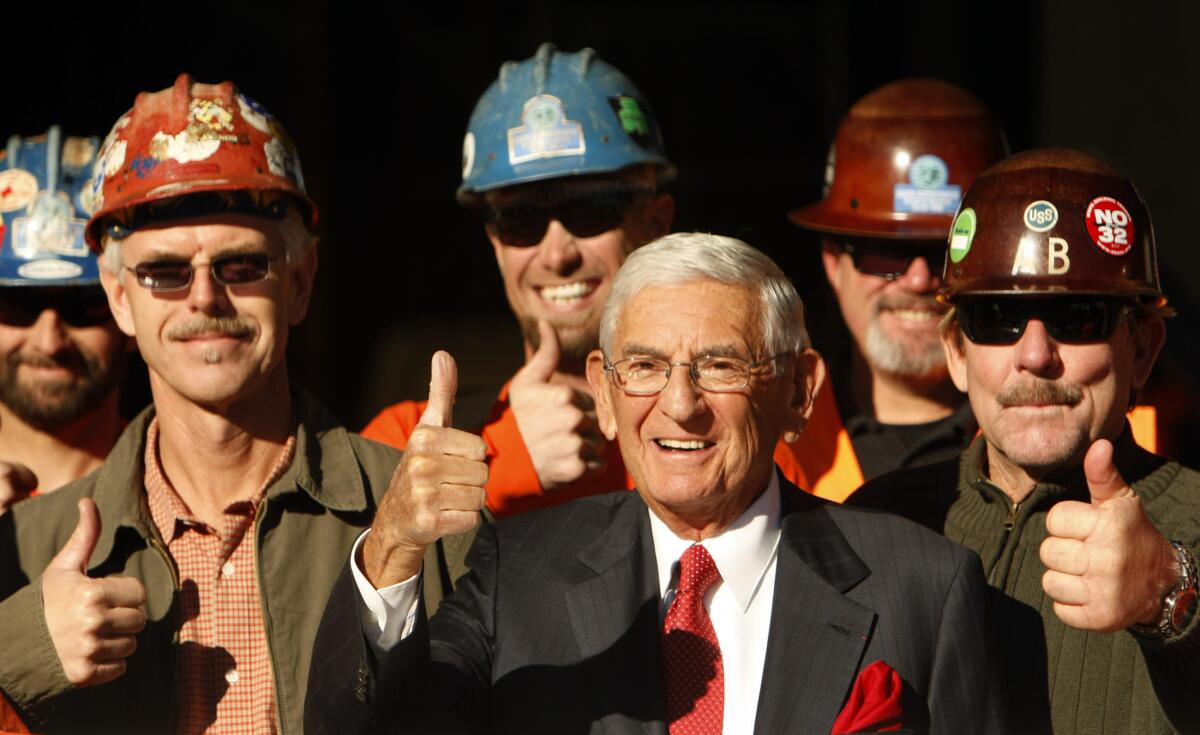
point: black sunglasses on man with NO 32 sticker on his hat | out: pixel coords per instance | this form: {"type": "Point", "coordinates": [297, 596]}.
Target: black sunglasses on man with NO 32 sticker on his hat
{"type": "Point", "coordinates": [1072, 320]}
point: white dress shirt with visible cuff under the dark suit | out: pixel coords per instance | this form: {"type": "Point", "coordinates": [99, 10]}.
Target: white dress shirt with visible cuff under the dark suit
{"type": "Point", "coordinates": [740, 603]}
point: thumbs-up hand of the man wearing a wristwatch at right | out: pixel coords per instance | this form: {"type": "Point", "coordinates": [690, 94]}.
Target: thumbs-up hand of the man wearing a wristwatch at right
{"type": "Point", "coordinates": [1108, 567]}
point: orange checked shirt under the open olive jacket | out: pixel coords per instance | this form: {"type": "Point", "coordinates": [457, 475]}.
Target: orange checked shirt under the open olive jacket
{"type": "Point", "coordinates": [224, 679]}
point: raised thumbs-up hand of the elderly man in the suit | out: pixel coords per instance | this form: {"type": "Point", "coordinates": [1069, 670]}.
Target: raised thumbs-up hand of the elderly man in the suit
{"type": "Point", "coordinates": [437, 488]}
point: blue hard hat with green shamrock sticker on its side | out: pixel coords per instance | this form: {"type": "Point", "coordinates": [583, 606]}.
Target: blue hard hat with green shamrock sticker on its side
{"type": "Point", "coordinates": [555, 116]}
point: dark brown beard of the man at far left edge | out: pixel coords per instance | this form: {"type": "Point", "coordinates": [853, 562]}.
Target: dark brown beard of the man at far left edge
{"type": "Point", "coordinates": [51, 407]}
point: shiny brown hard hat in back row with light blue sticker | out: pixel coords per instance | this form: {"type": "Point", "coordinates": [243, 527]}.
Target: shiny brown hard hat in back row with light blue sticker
{"type": "Point", "coordinates": [903, 158]}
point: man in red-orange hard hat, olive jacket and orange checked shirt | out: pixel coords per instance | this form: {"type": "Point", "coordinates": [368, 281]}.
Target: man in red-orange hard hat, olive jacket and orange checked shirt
{"type": "Point", "coordinates": [187, 596]}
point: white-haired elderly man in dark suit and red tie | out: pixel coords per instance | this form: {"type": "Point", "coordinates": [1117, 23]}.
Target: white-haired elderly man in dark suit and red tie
{"type": "Point", "coordinates": [715, 599]}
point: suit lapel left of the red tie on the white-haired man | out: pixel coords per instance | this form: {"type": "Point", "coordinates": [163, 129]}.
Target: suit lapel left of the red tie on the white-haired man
{"type": "Point", "coordinates": [615, 616]}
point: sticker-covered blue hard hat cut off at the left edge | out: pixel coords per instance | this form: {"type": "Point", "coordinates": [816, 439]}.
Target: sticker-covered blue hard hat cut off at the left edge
{"type": "Point", "coordinates": [44, 205]}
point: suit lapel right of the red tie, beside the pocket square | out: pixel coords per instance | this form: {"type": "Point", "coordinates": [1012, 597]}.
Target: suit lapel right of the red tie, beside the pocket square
{"type": "Point", "coordinates": [818, 635]}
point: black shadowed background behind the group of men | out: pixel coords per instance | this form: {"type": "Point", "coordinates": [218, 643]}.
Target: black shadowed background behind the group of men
{"type": "Point", "coordinates": [749, 94]}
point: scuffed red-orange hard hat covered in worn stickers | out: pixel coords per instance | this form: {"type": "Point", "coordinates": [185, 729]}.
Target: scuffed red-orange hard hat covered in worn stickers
{"type": "Point", "coordinates": [189, 140]}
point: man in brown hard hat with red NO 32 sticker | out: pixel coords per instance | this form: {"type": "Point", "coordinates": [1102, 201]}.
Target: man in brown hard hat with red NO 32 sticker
{"type": "Point", "coordinates": [1058, 319]}
